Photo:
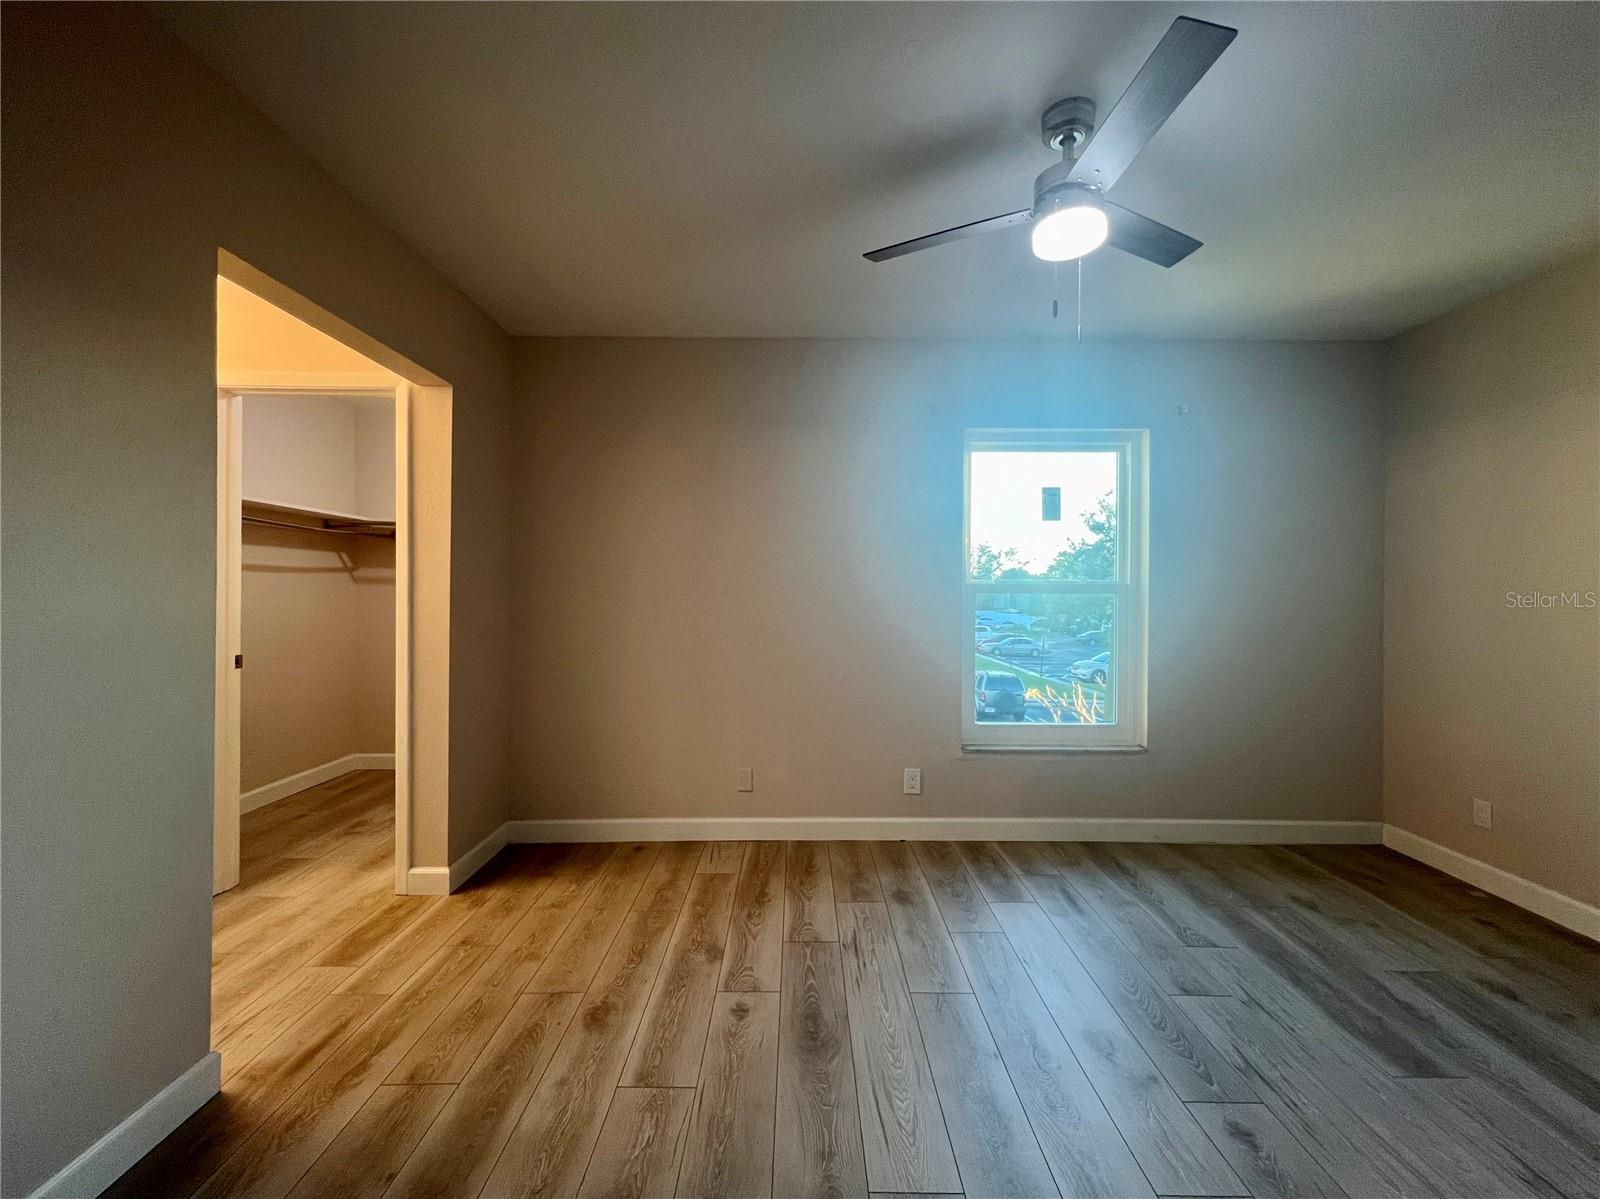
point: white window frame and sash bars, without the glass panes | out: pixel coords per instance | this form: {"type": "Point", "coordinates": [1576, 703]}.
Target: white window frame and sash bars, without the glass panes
{"type": "Point", "coordinates": [1130, 590]}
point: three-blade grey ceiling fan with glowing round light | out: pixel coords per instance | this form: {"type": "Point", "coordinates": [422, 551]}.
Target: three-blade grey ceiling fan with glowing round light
{"type": "Point", "coordinates": [1071, 215]}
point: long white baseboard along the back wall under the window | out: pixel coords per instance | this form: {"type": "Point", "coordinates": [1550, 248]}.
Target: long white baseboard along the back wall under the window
{"type": "Point", "coordinates": [951, 828]}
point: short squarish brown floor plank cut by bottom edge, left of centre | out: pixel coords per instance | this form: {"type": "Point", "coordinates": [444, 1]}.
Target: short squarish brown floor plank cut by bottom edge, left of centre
{"type": "Point", "coordinates": [642, 1142]}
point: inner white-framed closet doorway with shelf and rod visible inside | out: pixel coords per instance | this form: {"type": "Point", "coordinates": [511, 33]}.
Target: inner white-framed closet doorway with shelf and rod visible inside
{"type": "Point", "coordinates": [311, 596]}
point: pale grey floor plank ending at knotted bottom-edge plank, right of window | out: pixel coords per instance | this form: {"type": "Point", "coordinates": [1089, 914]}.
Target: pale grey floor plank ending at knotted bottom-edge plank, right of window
{"type": "Point", "coordinates": [1190, 1064]}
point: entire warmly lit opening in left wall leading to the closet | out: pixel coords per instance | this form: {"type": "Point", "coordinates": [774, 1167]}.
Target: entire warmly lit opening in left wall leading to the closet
{"type": "Point", "coordinates": [334, 545]}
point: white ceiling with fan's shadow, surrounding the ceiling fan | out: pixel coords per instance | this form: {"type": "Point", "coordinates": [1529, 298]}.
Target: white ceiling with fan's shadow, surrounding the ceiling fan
{"type": "Point", "coordinates": [718, 170]}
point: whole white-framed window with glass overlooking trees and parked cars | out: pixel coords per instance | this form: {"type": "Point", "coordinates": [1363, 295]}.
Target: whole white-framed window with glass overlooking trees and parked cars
{"type": "Point", "coordinates": [1055, 616]}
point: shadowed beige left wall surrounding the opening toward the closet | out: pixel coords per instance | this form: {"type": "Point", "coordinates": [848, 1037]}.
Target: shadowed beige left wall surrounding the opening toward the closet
{"type": "Point", "coordinates": [127, 164]}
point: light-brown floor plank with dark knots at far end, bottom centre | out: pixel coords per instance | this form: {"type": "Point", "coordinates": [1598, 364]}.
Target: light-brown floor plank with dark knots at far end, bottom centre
{"type": "Point", "coordinates": [902, 1123]}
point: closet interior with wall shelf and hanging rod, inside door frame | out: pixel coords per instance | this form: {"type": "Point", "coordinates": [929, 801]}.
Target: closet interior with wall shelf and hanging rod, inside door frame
{"type": "Point", "coordinates": [318, 590]}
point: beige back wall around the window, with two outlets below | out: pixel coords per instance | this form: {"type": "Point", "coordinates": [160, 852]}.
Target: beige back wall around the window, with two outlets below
{"type": "Point", "coordinates": [748, 553]}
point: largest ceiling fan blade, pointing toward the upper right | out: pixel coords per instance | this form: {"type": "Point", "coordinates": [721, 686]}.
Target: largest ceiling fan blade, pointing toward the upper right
{"type": "Point", "coordinates": [1183, 55]}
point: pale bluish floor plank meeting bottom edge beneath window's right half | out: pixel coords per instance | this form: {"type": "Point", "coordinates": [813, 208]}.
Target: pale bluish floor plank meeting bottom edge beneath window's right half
{"type": "Point", "coordinates": [1079, 1139]}
